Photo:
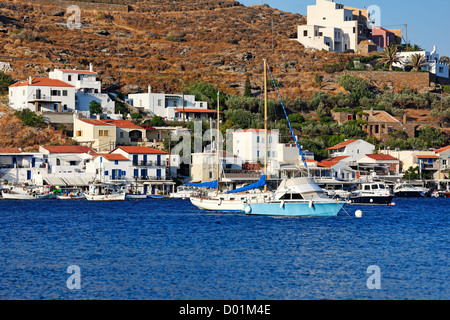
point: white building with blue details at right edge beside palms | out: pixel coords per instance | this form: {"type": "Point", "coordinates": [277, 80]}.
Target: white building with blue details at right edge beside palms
{"type": "Point", "coordinates": [431, 58]}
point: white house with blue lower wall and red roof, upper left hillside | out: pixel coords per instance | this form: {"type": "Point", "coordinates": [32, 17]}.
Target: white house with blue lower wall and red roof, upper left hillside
{"type": "Point", "coordinates": [88, 89]}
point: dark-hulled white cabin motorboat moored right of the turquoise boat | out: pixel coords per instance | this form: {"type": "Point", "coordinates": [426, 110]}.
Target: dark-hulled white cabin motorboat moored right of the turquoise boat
{"type": "Point", "coordinates": [371, 193]}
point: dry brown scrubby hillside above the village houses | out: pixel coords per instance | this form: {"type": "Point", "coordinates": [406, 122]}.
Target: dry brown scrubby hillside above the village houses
{"type": "Point", "coordinates": [165, 44]}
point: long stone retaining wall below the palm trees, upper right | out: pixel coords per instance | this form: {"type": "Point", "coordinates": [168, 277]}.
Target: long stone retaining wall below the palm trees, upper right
{"type": "Point", "coordinates": [418, 81]}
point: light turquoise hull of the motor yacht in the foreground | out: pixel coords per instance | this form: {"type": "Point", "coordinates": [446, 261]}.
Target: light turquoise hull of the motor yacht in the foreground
{"type": "Point", "coordinates": [295, 209]}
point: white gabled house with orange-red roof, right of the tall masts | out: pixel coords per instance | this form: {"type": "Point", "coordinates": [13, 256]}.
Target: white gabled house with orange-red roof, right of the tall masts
{"type": "Point", "coordinates": [352, 149]}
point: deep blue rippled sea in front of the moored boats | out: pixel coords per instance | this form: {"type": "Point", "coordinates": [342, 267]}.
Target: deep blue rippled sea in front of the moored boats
{"type": "Point", "coordinates": [168, 249]}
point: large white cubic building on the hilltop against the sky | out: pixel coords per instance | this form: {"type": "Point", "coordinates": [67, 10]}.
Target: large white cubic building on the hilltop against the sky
{"type": "Point", "coordinates": [333, 27]}
